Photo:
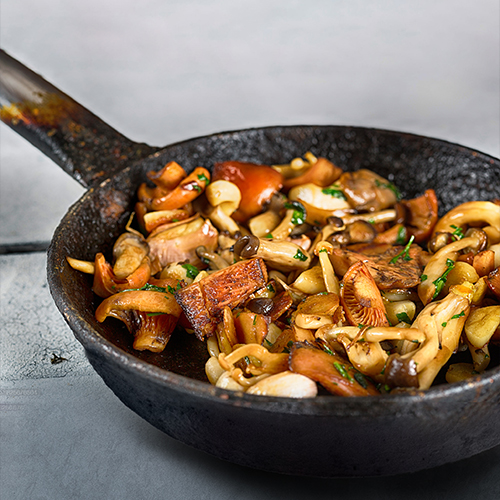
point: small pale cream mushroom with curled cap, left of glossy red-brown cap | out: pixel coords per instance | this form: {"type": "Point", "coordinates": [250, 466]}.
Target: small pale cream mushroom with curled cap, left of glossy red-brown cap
{"type": "Point", "coordinates": [224, 198]}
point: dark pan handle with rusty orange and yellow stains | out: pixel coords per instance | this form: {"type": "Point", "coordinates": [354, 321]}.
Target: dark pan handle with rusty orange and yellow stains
{"type": "Point", "coordinates": [77, 140]}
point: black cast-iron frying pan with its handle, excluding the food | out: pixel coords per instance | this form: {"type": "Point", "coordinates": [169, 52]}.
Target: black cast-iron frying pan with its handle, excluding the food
{"type": "Point", "coordinates": [327, 436]}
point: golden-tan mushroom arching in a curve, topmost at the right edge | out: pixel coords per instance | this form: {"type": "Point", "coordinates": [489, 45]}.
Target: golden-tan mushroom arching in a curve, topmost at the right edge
{"type": "Point", "coordinates": [472, 212]}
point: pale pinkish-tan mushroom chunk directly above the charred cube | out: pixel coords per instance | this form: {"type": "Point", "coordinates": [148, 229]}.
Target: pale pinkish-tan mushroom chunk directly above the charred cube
{"type": "Point", "coordinates": [178, 242]}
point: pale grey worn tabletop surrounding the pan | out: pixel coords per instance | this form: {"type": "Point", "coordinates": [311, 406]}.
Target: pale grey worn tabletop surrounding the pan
{"type": "Point", "coordinates": [164, 71]}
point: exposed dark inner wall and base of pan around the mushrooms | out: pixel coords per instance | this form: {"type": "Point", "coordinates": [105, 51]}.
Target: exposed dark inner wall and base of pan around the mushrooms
{"type": "Point", "coordinates": [412, 163]}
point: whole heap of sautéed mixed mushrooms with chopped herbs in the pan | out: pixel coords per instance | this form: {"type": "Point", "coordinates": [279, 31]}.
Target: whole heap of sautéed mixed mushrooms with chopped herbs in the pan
{"type": "Point", "coordinates": [302, 277]}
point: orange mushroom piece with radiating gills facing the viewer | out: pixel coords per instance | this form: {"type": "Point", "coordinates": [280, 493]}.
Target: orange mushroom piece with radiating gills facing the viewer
{"type": "Point", "coordinates": [361, 297]}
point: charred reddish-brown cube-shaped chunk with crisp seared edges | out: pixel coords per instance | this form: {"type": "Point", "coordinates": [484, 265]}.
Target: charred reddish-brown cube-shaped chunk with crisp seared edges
{"type": "Point", "coordinates": [203, 302]}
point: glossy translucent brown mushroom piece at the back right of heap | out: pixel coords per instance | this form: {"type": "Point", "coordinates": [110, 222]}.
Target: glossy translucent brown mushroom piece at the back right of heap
{"type": "Point", "coordinates": [367, 191]}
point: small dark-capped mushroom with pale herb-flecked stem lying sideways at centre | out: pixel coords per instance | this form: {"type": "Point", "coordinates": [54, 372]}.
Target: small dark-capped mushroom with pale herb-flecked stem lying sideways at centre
{"type": "Point", "coordinates": [281, 255]}
